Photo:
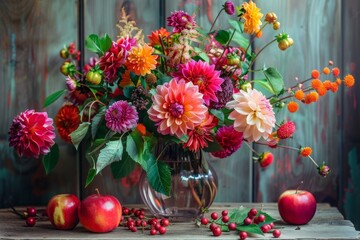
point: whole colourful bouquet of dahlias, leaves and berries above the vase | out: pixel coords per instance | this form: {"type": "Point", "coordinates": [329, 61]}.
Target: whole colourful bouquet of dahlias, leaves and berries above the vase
{"type": "Point", "coordinates": [186, 86]}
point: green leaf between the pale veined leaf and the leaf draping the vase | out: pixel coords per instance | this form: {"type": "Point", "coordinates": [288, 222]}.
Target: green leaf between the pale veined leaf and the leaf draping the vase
{"type": "Point", "coordinates": [135, 148]}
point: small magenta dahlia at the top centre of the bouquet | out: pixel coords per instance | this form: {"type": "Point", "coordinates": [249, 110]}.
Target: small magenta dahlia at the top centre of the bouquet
{"type": "Point", "coordinates": [180, 20]}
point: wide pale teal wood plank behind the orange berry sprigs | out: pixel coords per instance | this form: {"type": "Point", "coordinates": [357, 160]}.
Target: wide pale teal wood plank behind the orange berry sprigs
{"type": "Point", "coordinates": [315, 27]}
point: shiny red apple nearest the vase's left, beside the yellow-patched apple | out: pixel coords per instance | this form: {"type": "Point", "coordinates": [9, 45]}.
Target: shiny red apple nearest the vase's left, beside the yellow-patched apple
{"type": "Point", "coordinates": [100, 213]}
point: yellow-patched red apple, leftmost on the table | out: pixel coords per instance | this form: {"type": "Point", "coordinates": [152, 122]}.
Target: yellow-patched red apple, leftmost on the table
{"type": "Point", "coordinates": [62, 210]}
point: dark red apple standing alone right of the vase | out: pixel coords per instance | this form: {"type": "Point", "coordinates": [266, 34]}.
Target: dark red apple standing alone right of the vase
{"type": "Point", "coordinates": [297, 207]}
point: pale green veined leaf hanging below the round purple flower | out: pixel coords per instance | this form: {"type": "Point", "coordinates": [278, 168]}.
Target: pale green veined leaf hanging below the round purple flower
{"type": "Point", "coordinates": [110, 153]}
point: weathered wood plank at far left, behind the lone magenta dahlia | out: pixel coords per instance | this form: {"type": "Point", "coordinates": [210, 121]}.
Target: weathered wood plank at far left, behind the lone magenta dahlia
{"type": "Point", "coordinates": [32, 32]}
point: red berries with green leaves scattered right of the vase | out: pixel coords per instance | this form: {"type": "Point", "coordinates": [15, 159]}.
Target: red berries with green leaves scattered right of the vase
{"type": "Point", "coordinates": [243, 221]}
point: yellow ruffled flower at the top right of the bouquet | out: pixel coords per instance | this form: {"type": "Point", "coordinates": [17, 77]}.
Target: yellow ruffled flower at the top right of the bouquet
{"type": "Point", "coordinates": [252, 17]}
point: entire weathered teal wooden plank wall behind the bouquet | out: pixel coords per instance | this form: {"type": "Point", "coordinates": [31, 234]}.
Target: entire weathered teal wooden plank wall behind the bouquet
{"type": "Point", "coordinates": [33, 31]}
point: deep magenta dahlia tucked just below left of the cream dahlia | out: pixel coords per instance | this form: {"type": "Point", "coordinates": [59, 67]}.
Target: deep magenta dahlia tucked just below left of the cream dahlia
{"type": "Point", "coordinates": [229, 139]}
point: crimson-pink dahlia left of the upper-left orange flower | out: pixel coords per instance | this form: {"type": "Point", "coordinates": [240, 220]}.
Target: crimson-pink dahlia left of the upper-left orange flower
{"type": "Point", "coordinates": [115, 57]}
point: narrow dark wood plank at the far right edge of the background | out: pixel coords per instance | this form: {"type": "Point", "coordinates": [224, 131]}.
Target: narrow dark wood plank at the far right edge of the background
{"type": "Point", "coordinates": [349, 199]}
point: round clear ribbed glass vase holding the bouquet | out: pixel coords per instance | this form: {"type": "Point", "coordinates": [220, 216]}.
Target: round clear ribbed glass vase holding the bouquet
{"type": "Point", "coordinates": [193, 184]}
